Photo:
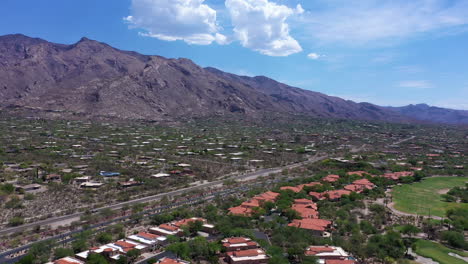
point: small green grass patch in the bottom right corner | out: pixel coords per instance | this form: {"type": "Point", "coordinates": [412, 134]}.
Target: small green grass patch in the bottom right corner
{"type": "Point", "coordinates": [438, 252]}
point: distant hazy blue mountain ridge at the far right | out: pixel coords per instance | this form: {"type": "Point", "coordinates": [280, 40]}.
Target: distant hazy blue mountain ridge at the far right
{"type": "Point", "coordinates": [433, 114]}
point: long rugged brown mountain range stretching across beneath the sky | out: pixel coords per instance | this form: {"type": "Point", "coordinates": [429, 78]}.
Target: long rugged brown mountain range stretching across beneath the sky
{"type": "Point", "coordinates": [92, 79]}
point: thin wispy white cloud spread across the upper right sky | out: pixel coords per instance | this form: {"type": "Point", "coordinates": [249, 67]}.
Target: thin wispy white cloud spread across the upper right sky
{"type": "Point", "coordinates": [358, 22]}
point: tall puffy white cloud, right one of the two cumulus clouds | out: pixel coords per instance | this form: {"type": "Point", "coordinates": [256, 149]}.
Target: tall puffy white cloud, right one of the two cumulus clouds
{"type": "Point", "coordinates": [261, 25]}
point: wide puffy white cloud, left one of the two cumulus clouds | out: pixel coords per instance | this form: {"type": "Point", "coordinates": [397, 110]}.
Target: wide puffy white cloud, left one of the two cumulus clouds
{"type": "Point", "coordinates": [189, 20]}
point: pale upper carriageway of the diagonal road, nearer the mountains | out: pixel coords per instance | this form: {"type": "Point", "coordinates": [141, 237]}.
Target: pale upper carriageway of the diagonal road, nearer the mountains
{"type": "Point", "coordinates": [250, 175]}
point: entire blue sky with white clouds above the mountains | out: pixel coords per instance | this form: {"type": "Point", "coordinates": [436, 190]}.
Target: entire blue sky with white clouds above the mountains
{"type": "Point", "coordinates": [386, 52]}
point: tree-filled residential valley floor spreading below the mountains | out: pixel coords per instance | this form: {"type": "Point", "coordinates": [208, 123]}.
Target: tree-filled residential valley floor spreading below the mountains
{"type": "Point", "coordinates": [308, 191]}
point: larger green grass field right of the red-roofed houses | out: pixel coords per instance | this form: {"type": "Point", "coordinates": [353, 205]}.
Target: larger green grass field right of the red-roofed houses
{"type": "Point", "coordinates": [424, 197]}
